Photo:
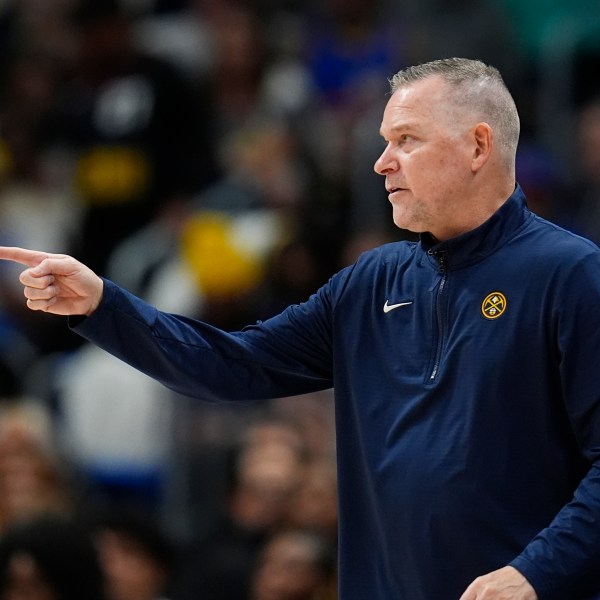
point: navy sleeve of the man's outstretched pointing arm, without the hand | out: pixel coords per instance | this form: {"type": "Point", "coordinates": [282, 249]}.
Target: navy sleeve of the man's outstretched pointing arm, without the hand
{"type": "Point", "coordinates": [287, 355]}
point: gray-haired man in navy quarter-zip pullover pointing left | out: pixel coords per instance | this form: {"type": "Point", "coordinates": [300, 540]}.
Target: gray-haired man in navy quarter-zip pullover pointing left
{"type": "Point", "coordinates": [467, 397]}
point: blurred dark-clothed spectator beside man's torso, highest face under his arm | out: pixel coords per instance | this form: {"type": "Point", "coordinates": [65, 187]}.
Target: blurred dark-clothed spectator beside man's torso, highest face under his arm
{"type": "Point", "coordinates": [266, 472]}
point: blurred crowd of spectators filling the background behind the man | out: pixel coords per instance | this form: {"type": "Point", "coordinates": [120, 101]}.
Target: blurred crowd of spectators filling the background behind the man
{"type": "Point", "coordinates": [216, 158]}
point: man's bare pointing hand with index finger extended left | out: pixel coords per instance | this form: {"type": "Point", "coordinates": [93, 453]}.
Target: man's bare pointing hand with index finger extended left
{"type": "Point", "coordinates": [56, 283]}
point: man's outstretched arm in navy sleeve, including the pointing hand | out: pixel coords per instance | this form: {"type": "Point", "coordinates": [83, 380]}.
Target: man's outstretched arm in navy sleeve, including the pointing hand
{"type": "Point", "coordinates": [288, 355]}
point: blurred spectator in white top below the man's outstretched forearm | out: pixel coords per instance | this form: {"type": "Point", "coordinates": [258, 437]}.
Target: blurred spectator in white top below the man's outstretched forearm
{"type": "Point", "coordinates": [116, 427]}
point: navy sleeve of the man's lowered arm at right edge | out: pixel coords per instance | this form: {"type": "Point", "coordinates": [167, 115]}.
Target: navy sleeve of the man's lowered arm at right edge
{"type": "Point", "coordinates": [563, 558]}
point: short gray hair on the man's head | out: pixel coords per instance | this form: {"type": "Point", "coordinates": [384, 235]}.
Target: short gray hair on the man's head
{"type": "Point", "coordinates": [479, 89]}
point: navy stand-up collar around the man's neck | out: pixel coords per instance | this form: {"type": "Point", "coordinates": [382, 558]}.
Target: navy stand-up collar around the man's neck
{"type": "Point", "coordinates": [475, 245]}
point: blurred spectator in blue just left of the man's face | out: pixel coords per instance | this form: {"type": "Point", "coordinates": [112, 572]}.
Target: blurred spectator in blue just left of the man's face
{"type": "Point", "coordinates": [350, 48]}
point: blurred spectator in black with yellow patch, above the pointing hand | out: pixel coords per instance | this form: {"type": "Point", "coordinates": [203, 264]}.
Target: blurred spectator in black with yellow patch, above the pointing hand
{"type": "Point", "coordinates": [139, 130]}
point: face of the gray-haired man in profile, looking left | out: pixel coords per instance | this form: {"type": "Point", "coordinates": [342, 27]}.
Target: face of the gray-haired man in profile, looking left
{"type": "Point", "coordinates": [427, 159]}
